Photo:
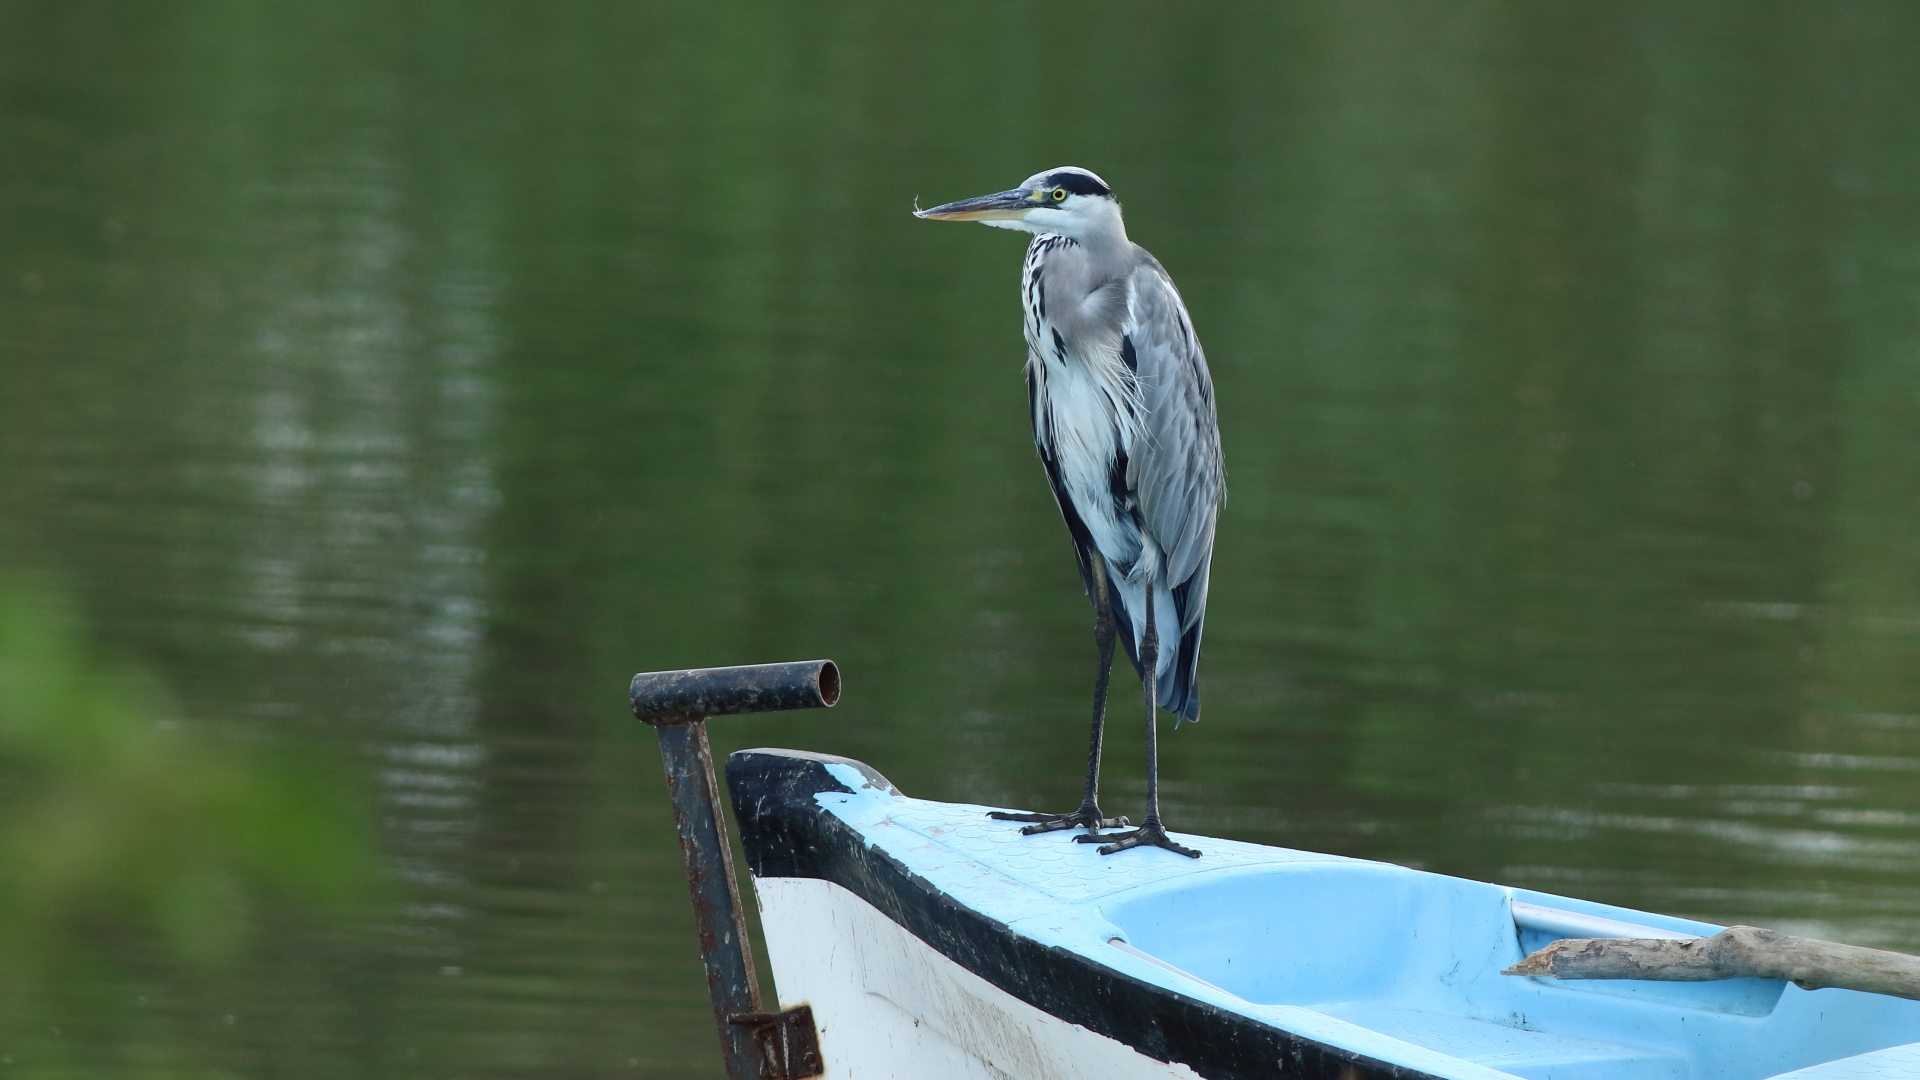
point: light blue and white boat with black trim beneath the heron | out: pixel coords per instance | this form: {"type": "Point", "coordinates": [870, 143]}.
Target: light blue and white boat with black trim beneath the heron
{"type": "Point", "coordinates": [934, 943]}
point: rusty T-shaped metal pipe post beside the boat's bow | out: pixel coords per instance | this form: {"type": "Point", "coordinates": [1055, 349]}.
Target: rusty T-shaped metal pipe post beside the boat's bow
{"type": "Point", "coordinates": [757, 1044]}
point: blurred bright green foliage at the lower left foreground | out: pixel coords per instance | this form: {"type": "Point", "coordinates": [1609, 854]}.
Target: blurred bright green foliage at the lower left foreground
{"type": "Point", "coordinates": [128, 831]}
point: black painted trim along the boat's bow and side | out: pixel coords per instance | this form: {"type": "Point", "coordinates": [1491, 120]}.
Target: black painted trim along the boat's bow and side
{"type": "Point", "coordinates": [790, 835]}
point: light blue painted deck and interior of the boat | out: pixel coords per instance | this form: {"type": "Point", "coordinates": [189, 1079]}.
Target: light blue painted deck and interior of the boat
{"type": "Point", "coordinates": [1389, 962]}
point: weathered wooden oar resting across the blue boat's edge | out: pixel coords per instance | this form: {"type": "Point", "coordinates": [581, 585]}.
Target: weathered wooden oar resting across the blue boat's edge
{"type": "Point", "coordinates": [1739, 952]}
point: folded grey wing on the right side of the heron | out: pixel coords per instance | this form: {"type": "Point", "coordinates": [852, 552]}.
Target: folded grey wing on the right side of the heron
{"type": "Point", "coordinates": [1178, 472]}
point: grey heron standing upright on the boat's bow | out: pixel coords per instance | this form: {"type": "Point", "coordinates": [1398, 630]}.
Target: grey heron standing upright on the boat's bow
{"type": "Point", "coordinates": [1124, 424]}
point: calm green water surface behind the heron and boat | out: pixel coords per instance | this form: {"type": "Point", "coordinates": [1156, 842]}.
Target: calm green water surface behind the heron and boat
{"type": "Point", "coordinates": [393, 381]}
